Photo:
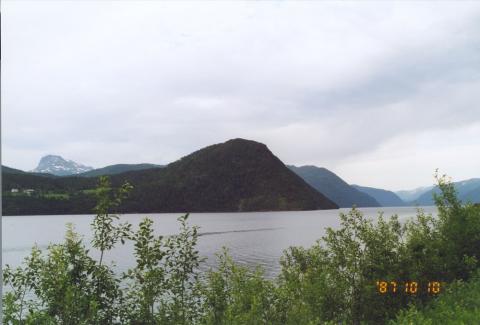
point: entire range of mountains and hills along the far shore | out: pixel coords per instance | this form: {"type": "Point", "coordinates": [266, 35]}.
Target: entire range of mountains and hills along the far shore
{"type": "Point", "coordinates": [58, 177]}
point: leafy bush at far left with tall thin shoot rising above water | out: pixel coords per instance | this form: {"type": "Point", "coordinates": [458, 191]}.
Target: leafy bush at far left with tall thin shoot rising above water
{"type": "Point", "coordinates": [65, 285]}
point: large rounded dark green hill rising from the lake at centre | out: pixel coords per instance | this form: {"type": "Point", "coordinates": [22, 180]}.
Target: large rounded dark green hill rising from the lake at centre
{"type": "Point", "coordinates": [238, 175]}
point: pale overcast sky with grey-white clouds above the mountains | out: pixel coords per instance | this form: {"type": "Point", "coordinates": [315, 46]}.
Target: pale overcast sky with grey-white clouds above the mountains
{"type": "Point", "coordinates": [380, 93]}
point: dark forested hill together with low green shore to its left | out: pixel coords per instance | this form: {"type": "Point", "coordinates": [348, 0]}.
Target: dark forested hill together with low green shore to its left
{"type": "Point", "coordinates": [238, 175]}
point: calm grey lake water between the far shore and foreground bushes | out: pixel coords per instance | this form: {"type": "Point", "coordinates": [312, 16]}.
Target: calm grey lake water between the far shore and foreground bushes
{"type": "Point", "coordinates": [253, 238]}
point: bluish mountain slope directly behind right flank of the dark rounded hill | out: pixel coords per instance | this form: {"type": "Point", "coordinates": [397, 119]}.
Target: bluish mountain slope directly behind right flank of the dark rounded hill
{"type": "Point", "coordinates": [333, 187]}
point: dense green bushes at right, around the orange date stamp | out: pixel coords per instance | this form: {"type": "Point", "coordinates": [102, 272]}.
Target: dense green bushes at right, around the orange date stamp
{"type": "Point", "coordinates": [335, 280]}
